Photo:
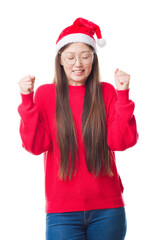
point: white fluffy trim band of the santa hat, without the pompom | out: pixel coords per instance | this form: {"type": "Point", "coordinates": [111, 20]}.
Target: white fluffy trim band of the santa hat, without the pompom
{"type": "Point", "coordinates": [75, 37]}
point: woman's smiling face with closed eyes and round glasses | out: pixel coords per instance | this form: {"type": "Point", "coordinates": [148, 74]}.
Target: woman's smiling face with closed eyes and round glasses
{"type": "Point", "coordinates": [77, 61]}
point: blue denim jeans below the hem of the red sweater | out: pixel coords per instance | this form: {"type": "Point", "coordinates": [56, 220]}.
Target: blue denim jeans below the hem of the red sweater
{"type": "Point", "coordinates": [102, 224]}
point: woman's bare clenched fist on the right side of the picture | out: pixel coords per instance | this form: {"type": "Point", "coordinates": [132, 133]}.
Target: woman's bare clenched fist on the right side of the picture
{"type": "Point", "coordinates": [121, 80]}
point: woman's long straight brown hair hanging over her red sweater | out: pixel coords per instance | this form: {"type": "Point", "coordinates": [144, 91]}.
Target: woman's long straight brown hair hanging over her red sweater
{"type": "Point", "coordinates": [97, 155]}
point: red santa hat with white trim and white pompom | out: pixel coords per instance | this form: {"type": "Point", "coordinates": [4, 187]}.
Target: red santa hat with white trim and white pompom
{"type": "Point", "coordinates": [82, 30]}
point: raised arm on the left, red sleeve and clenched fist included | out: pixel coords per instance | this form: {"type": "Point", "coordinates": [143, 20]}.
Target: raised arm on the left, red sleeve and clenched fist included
{"type": "Point", "coordinates": [33, 128]}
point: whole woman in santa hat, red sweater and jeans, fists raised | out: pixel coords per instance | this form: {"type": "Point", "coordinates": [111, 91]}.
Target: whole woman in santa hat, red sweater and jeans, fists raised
{"type": "Point", "coordinates": [78, 122]}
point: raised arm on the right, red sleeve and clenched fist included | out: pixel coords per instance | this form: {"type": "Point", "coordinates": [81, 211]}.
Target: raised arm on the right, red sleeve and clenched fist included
{"type": "Point", "coordinates": [121, 124]}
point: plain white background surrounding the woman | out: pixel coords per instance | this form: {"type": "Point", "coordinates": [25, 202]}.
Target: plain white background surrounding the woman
{"type": "Point", "coordinates": [29, 30]}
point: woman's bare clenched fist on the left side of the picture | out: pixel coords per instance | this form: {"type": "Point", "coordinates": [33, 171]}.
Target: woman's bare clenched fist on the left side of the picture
{"type": "Point", "coordinates": [26, 84]}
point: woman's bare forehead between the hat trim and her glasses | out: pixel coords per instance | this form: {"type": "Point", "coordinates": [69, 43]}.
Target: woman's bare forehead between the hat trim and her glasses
{"type": "Point", "coordinates": [77, 48]}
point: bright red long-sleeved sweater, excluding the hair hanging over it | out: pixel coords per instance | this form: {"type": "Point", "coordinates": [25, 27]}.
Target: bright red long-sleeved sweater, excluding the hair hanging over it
{"type": "Point", "coordinates": [38, 133]}
